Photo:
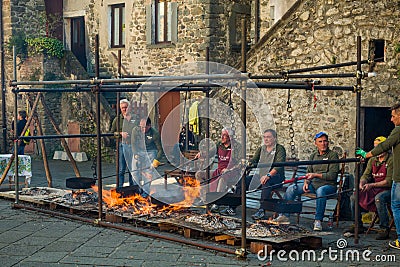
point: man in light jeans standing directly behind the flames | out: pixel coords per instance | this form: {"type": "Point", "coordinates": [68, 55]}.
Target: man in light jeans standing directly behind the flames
{"type": "Point", "coordinates": [147, 153]}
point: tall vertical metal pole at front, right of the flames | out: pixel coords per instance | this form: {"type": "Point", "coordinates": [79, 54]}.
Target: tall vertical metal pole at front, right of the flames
{"type": "Point", "coordinates": [243, 141]}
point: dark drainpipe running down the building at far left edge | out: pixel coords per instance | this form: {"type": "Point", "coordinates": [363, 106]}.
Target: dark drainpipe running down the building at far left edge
{"type": "Point", "coordinates": [3, 83]}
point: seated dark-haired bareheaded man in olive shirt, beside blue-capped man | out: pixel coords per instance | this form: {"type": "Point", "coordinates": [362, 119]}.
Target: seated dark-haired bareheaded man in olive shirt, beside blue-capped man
{"type": "Point", "coordinates": [270, 152]}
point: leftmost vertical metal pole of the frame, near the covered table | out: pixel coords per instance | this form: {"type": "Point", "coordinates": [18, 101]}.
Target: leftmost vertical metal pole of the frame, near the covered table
{"type": "Point", "coordinates": [16, 180]}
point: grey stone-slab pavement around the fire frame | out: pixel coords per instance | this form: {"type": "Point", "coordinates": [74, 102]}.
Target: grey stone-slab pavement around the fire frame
{"type": "Point", "coordinates": [29, 238]}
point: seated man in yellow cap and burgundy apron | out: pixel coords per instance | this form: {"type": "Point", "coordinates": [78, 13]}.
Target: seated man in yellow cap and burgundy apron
{"type": "Point", "coordinates": [374, 192]}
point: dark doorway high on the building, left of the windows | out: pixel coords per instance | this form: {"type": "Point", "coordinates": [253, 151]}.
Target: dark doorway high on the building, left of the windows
{"type": "Point", "coordinates": [78, 39]}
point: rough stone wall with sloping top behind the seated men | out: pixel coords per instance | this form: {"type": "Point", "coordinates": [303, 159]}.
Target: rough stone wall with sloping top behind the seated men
{"type": "Point", "coordinates": [320, 33]}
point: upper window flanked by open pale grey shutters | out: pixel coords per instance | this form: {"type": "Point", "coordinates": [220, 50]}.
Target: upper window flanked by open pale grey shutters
{"type": "Point", "coordinates": [161, 26]}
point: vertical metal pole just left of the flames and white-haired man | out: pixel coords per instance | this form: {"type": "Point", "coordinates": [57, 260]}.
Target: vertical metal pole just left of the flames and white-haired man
{"type": "Point", "coordinates": [98, 132]}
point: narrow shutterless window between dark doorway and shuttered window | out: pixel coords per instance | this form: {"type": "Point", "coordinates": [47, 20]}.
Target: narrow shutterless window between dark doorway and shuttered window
{"type": "Point", "coordinates": [118, 25]}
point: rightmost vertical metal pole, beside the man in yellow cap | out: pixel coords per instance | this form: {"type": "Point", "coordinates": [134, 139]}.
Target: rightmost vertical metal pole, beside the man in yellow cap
{"type": "Point", "coordinates": [358, 116]}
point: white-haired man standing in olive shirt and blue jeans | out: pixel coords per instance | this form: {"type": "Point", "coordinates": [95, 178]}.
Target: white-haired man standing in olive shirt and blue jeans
{"type": "Point", "coordinates": [125, 148]}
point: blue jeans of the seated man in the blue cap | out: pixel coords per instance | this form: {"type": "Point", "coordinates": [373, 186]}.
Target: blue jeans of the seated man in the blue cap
{"type": "Point", "coordinates": [293, 191]}
